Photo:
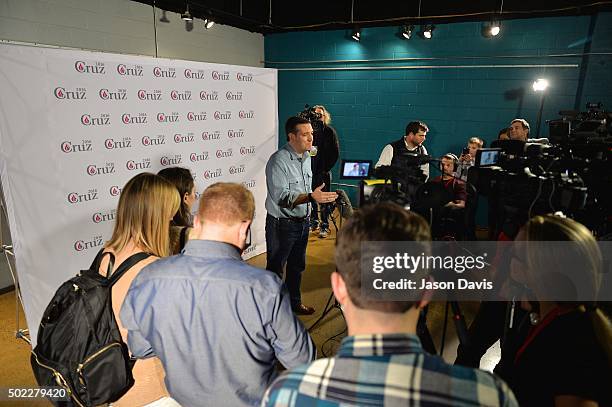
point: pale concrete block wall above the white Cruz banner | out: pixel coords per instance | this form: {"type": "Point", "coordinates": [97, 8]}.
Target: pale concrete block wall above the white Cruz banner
{"type": "Point", "coordinates": [125, 26]}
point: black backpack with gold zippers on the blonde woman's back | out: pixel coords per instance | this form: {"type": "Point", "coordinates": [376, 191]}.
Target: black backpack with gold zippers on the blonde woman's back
{"type": "Point", "coordinates": [79, 346]}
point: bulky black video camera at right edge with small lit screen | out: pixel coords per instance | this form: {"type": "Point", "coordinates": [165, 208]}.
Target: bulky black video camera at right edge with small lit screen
{"type": "Point", "coordinates": [573, 175]}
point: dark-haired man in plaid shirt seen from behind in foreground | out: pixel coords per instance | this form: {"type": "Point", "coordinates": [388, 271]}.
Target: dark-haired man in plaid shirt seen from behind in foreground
{"type": "Point", "coordinates": [382, 362]}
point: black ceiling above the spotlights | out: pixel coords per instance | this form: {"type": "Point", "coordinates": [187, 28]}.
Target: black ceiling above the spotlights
{"type": "Point", "coordinates": [290, 15]}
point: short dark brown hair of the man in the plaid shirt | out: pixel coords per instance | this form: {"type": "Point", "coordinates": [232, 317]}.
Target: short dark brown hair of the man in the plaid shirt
{"type": "Point", "coordinates": [376, 223]}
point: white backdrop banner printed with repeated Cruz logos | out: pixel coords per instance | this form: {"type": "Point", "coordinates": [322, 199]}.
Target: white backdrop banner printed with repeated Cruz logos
{"type": "Point", "coordinates": [75, 126]}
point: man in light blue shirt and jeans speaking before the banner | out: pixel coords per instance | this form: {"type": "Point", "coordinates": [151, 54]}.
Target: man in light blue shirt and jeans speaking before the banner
{"type": "Point", "coordinates": [289, 179]}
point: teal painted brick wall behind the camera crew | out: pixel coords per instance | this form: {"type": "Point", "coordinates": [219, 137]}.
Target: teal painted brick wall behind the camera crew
{"type": "Point", "coordinates": [372, 107]}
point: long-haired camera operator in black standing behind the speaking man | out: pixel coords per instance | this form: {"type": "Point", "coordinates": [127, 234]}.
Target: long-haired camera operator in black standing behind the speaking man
{"type": "Point", "coordinates": [324, 154]}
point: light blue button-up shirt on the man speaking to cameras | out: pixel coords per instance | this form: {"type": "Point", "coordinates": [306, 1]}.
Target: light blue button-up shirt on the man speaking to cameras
{"type": "Point", "coordinates": [287, 176]}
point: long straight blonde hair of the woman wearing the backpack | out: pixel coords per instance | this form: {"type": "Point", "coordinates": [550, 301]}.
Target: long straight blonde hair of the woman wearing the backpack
{"type": "Point", "coordinates": [146, 205]}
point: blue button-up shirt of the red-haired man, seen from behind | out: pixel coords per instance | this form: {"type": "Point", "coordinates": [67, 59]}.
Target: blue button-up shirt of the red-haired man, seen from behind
{"type": "Point", "coordinates": [217, 324]}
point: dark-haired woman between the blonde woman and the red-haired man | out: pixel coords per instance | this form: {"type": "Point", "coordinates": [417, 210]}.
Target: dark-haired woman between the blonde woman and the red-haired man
{"type": "Point", "coordinates": [182, 221]}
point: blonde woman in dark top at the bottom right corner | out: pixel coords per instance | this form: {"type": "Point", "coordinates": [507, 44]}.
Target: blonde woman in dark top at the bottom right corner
{"type": "Point", "coordinates": [566, 358]}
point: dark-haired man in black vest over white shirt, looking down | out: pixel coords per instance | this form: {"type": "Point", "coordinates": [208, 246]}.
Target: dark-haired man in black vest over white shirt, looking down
{"type": "Point", "coordinates": [411, 142]}
